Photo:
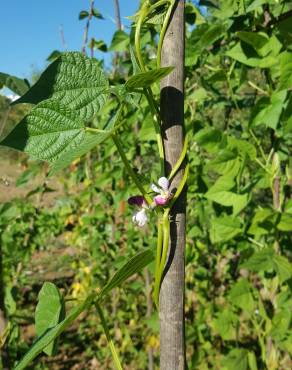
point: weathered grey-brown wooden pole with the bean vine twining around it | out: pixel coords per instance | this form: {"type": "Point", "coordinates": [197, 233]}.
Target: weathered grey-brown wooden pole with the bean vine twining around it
{"type": "Point", "coordinates": [172, 343]}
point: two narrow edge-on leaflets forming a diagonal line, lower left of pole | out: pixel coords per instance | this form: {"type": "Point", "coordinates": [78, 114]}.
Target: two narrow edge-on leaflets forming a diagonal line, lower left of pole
{"type": "Point", "coordinates": [133, 266]}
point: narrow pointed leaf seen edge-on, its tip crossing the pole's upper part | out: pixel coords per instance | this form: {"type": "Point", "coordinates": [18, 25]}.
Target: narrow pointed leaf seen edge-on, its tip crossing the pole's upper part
{"type": "Point", "coordinates": [145, 79]}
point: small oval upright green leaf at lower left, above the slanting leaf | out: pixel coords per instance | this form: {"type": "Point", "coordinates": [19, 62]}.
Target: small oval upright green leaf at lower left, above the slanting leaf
{"type": "Point", "coordinates": [50, 310]}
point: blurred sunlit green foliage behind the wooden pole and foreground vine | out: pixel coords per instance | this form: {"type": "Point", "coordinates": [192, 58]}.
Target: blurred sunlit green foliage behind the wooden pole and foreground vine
{"type": "Point", "coordinates": [77, 232]}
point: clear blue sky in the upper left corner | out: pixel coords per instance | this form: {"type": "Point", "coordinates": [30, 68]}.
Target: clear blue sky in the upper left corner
{"type": "Point", "coordinates": [30, 30]}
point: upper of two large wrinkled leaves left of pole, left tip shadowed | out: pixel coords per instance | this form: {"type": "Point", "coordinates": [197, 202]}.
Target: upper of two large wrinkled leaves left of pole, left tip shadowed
{"type": "Point", "coordinates": [76, 81]}
